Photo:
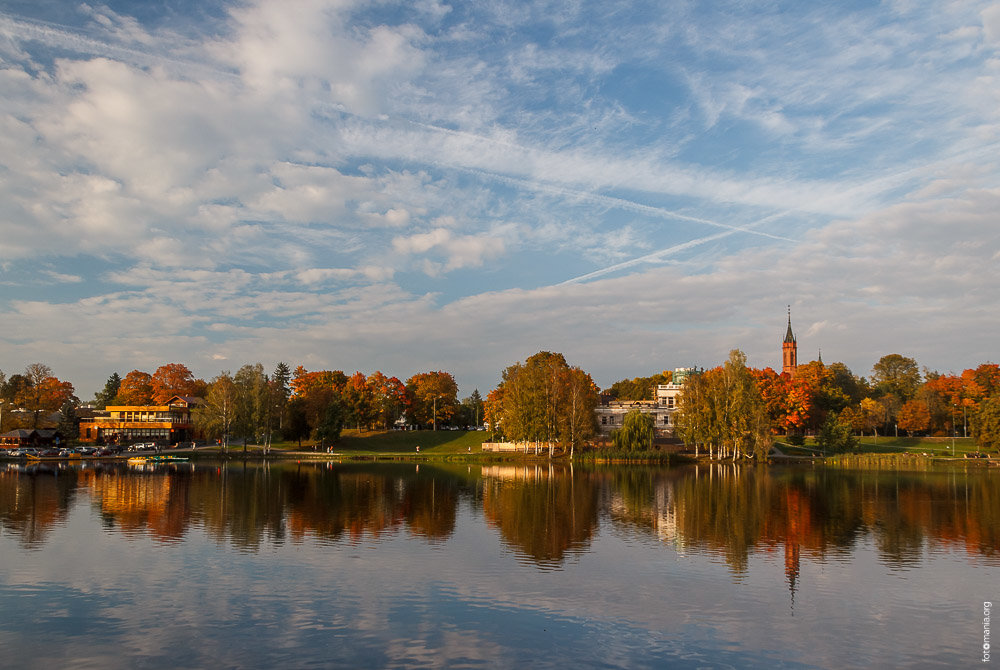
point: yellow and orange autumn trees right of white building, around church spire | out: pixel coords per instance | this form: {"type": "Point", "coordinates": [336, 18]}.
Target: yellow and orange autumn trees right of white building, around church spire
{"type": "Point", "coordinates": [735, 410]}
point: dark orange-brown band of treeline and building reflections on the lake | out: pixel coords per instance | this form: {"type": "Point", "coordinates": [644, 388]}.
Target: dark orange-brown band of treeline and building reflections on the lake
{"type": "Point", "coordinates": [544, 513]}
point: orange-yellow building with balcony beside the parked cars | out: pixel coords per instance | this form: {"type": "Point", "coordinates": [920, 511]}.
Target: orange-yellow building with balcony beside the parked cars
{"type": "Point", "coordinates": [164, 424]}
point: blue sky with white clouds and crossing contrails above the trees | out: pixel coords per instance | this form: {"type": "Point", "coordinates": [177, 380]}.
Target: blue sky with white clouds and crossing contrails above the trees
{"type": "Point", "coordinates": [423, 185]}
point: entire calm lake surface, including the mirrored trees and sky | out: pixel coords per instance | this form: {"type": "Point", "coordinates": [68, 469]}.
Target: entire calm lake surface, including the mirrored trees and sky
{"type": "Point", "coordinates": [340, 565]}
